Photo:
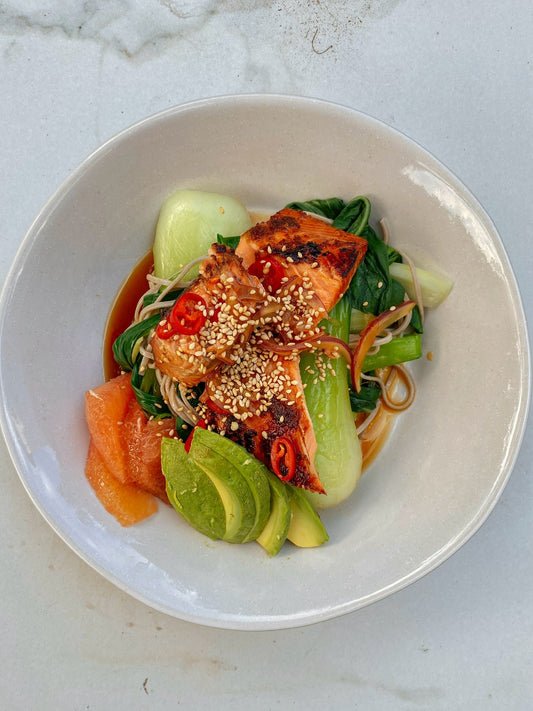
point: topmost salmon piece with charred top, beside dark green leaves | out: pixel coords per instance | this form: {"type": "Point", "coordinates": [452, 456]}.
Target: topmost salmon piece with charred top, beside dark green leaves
{"type": "Point", "coordinates": [307, 247]}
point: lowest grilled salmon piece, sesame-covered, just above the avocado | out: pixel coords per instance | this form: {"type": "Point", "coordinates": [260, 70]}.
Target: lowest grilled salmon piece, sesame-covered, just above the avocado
{"type": "Point", "coordinates": [260, 399]}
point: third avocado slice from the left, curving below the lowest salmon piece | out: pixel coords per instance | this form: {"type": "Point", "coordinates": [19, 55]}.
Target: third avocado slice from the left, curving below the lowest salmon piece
{"type": "Point", "coordinates": [254, 472]}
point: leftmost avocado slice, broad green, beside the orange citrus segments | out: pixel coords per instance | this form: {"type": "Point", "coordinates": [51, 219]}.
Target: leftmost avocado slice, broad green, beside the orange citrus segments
{"type": "Point", "coordinates": [190, 491]}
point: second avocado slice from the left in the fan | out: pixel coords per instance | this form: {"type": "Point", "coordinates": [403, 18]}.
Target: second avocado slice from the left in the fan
{"type": "Point", "coordinates": [233, 488]}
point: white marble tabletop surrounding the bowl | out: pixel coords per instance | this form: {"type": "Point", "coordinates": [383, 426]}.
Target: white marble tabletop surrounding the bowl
{"type": "Point", "coordinates": [456, 77]}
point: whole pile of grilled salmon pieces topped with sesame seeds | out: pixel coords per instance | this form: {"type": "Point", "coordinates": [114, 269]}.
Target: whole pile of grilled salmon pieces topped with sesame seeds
{"type": "Point", "coordinates": [263, 306]}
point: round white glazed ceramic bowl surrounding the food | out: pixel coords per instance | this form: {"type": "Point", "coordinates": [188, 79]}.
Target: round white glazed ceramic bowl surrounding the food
{"type": "Point", "coordinates": [449, 456]}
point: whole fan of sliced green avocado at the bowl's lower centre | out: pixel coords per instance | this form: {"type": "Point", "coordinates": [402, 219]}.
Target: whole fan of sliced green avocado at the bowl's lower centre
{"type": "Point", "coordinates": [224, 492]}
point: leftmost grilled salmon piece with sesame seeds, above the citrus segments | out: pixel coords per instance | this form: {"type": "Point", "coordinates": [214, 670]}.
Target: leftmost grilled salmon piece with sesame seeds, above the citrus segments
{"type": "Point", "coordinates": [232, 297]}
